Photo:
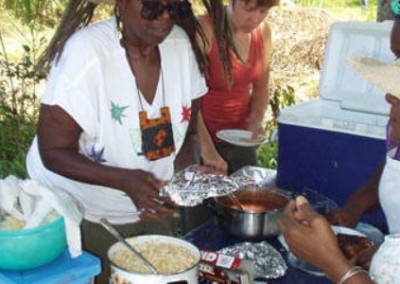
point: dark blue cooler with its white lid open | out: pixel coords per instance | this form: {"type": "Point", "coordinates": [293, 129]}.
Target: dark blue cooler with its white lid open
{"type": "Point", "coordinates": [333, 144]}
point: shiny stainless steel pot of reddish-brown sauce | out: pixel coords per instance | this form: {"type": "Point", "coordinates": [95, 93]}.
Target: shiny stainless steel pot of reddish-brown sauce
{"type": "Point", "coordinates": [258, 217]}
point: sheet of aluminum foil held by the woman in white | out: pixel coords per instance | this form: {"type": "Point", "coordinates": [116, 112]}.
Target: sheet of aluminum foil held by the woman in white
{"type": "Point", "coordinates": [192, 185]}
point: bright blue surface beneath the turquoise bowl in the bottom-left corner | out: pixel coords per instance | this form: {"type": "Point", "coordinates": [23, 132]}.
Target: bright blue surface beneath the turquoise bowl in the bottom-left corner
{"type": "Point", "coordinates": [64, 270]}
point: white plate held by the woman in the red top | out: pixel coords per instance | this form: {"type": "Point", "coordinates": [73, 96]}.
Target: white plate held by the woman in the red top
{"type": "Point", "coordinates": [240, 137]}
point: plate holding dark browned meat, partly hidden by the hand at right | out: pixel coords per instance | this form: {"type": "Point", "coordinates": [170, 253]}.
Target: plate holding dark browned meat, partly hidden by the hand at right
{"type": "Point", "coordinates": [362, 229]}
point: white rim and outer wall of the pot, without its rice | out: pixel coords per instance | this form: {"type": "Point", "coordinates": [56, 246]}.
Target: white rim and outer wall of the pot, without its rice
{"type": "Point", "coordinates": [121, 275]}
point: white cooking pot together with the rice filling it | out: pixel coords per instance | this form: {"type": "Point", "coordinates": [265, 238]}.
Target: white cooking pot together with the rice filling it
{"type": "Point", "coordinates": [129, 273]}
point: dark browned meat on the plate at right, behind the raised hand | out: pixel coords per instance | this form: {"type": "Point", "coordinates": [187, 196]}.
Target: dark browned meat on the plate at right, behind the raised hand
{"type": "Point", "coordinates": [352, 245]}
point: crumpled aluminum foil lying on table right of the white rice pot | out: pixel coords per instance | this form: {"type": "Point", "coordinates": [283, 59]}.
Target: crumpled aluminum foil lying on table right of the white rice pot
{"type": "Point", "coordinates": [268, 261]}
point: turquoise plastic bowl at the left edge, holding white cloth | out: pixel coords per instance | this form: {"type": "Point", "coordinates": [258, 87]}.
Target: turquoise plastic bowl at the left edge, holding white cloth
{"type": "Point", "coordinates": [31, 248]}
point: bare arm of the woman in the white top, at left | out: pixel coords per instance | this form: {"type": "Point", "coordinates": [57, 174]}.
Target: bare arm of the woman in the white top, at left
{"type": "Point", "coordinates": [58, 138]}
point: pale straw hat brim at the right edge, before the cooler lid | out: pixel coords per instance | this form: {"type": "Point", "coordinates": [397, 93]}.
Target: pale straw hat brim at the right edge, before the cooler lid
{"type": "Point", "coordinates": [384, 75]}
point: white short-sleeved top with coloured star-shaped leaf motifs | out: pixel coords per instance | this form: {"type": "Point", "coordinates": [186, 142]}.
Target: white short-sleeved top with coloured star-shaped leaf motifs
{"type": "Point", "coordinates": [93, 83]}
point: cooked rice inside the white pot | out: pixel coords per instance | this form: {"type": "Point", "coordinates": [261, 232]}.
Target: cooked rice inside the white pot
{"type": "Point", "coordinates": [166, 257]}
